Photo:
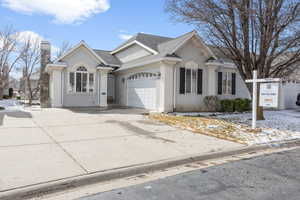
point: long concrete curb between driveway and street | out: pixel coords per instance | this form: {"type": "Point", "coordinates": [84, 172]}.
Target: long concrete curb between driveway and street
{"type": "Point", "coordinates": [69, 183]}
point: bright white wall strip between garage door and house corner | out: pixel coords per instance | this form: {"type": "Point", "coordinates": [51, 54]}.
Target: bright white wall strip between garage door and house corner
{"type": "Point", "coordinates": [166, 87]}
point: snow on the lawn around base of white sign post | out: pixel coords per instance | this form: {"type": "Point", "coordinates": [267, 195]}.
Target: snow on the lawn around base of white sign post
{"type": "Point", "coordinates": [279, 126]}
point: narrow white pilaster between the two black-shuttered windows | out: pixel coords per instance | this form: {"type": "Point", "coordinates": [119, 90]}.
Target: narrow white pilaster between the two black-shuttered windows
{"type": "Point", "coordinates": [212, 79]}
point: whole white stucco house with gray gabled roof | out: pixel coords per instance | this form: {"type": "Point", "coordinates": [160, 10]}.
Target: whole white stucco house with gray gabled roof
{"type": "Point", "coordinates": [147, 71]}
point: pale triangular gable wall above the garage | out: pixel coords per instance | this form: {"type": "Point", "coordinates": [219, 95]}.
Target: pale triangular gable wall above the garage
{"type": "Point", "coordinates": [131, 53]}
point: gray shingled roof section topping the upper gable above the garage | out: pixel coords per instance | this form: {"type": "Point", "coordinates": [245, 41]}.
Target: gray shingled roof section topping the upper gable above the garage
{"type": "Point", "coordinates": [151, 41]}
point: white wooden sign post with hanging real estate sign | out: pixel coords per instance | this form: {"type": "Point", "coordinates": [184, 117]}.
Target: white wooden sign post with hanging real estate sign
{"type": "Point", "coordinates": [268, 94]}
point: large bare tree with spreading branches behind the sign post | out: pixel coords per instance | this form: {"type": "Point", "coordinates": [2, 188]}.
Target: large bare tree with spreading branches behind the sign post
{"type": "Point", "coordinates": [255, 34]}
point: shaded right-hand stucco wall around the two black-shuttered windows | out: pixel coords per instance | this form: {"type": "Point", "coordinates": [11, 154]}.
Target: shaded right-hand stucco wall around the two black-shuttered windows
{"type": "Point", "coordinates": [192, 53]}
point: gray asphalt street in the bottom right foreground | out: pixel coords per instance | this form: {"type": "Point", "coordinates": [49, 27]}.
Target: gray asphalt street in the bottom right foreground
{"type": "Point", "coordinates": [275, 176]}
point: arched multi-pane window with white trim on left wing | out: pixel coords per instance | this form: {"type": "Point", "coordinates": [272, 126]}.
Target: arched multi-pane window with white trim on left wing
{"type": "Point", "coordinates": [81, 81]}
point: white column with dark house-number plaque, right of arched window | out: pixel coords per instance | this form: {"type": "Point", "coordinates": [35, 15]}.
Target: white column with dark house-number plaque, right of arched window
{"type": "Point", "coordinates": [103, 85]}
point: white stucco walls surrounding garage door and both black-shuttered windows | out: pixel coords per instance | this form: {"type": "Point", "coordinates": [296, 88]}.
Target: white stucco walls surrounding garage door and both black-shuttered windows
{"type": "Point", "coordinates": [193, 56]}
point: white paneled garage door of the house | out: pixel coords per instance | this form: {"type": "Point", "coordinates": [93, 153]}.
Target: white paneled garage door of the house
{"type": "Point", "coordinates": [142, 91]}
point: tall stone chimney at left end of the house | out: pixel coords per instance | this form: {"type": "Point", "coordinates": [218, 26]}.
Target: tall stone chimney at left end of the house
{"type": "Point", "coordinates": [44, 76]}
